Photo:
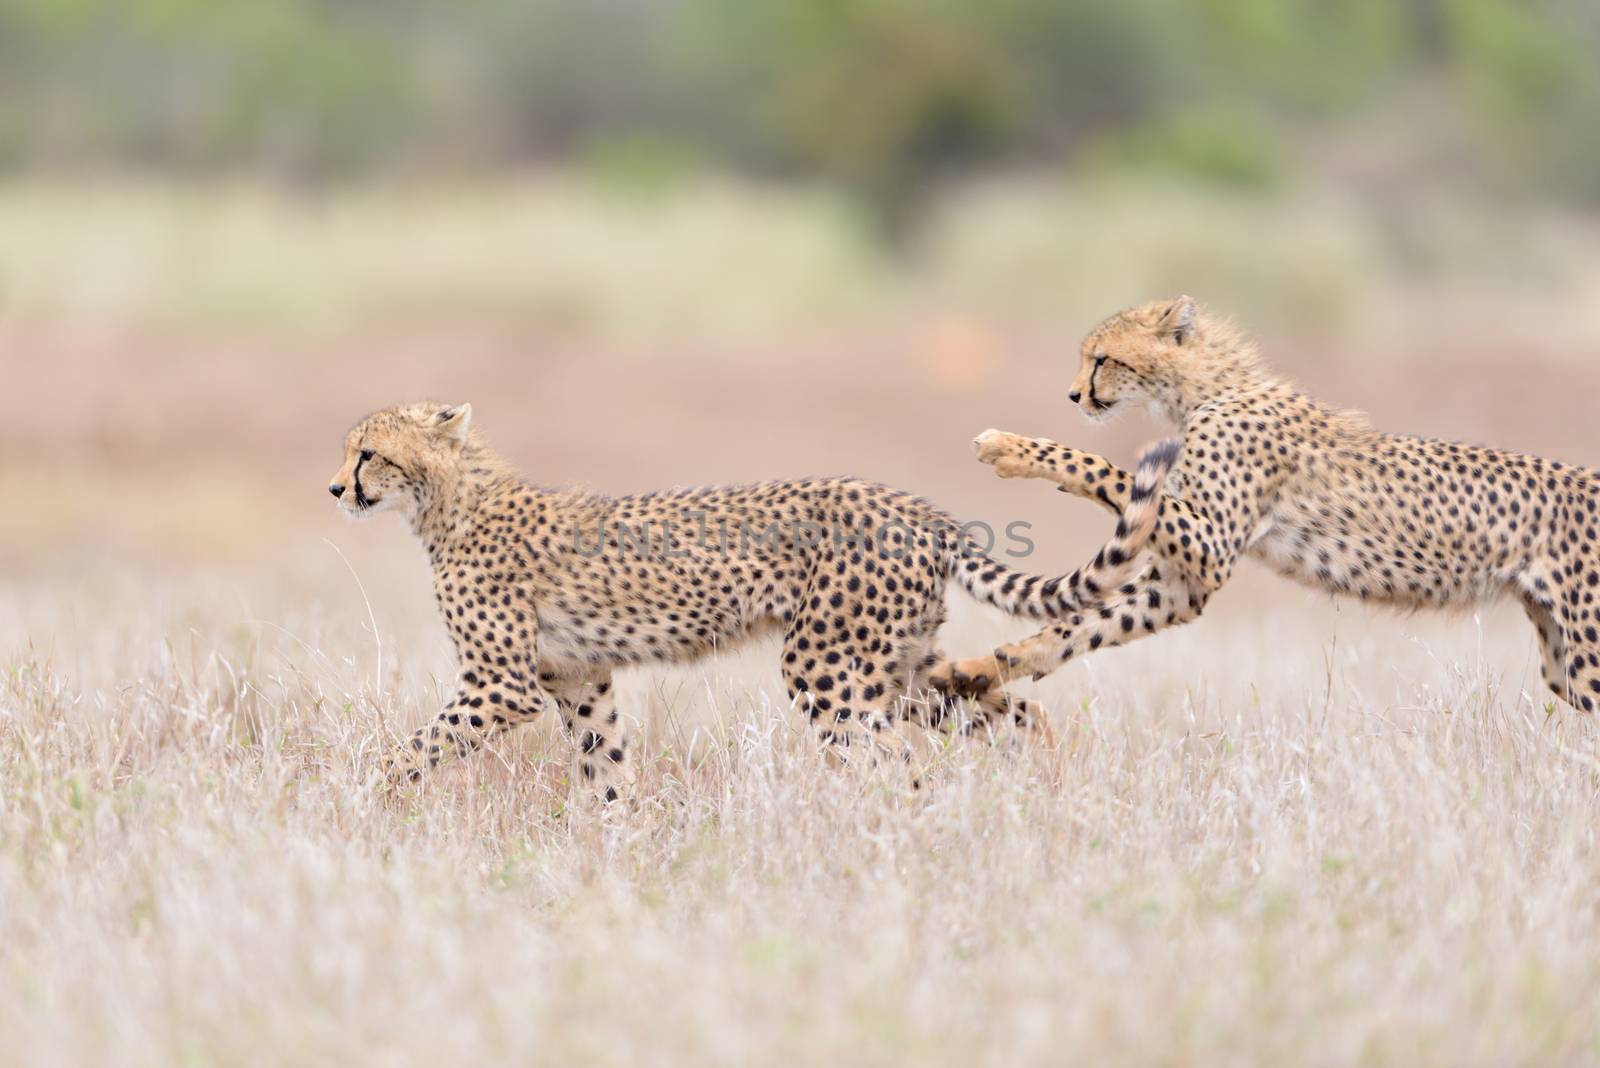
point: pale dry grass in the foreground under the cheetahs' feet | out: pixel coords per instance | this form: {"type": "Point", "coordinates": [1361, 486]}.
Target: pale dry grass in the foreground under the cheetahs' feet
{"type": "Point", "coordinates": [1327, 839]}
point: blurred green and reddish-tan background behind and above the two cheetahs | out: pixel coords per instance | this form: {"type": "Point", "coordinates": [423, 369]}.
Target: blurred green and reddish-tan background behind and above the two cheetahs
{"type": "Point", "coordinates": [702, 241]}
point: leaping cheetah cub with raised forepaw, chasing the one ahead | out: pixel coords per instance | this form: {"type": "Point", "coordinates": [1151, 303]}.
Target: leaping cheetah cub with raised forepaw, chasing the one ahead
{"type": "Point", "coordinates": [1314, 493]}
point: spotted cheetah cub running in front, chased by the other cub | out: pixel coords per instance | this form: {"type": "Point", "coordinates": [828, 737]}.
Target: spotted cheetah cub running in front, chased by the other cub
{"type": "Point", "coordinates": [548, 592]}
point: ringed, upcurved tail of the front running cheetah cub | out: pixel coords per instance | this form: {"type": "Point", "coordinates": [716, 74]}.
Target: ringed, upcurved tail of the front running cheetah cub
{"type": "Point", "coordinates": [1052, 599]}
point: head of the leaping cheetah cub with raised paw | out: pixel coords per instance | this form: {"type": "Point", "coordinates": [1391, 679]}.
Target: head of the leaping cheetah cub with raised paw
{"type": "Point", "coordinates": [1132, 357]}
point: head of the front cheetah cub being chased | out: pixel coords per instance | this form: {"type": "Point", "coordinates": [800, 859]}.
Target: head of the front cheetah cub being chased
{"type": "Point", "coordinates": [393, 456]}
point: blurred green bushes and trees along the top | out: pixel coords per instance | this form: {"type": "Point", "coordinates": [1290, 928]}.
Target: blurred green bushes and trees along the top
{"type": "Point", "coordinates": [881, 97]}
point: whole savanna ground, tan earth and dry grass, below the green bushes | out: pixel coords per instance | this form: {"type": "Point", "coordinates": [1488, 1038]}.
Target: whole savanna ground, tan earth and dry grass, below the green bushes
{"type": "Point", "coordinates": [1295, 832]}
